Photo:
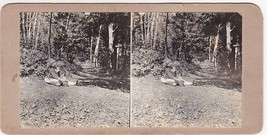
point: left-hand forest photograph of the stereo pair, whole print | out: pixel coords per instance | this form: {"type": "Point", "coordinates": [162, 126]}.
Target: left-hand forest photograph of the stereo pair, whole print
{"type": "Point", "coordinates": [74, 69]}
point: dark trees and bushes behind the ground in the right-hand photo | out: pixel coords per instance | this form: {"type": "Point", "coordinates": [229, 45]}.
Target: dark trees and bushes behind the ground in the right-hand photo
{"type": "Point", "coordinates": [189, 38]}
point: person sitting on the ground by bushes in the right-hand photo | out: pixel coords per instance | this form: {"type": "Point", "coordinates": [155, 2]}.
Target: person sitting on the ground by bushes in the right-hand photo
{"type": "Point", "coordinates": [171, 75]}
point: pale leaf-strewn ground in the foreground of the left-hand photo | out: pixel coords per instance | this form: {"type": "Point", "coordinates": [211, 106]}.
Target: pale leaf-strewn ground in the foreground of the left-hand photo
{"type": "Point", "coordinates": [45, 105]}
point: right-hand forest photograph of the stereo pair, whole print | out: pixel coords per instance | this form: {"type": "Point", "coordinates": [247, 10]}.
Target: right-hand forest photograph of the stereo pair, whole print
{"type": "Point", "coordinates": [187, 69]}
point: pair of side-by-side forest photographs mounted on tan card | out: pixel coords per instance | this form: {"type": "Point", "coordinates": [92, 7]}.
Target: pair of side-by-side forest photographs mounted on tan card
{"type": "Point", "coordinates": [179, 69]}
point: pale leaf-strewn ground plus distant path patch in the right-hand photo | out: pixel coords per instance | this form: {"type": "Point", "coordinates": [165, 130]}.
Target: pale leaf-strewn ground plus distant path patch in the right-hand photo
{"type": "Point", "coordinates": [159, 105]}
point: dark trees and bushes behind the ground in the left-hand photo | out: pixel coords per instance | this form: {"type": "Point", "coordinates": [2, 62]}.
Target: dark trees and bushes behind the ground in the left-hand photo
{"type": "Point", "coordinates": [92, 45]}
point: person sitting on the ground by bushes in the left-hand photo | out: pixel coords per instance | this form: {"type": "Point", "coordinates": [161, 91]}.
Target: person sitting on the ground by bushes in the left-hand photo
{"type": "Point", "coordinates": [57, 74]}
